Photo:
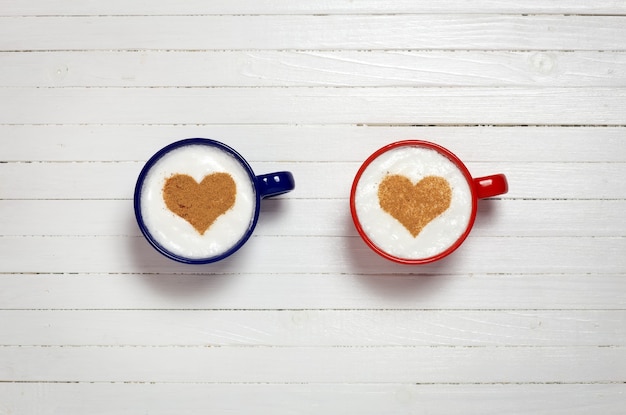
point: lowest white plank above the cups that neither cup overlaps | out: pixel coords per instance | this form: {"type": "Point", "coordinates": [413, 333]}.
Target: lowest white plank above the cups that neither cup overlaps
{"type": "Point", "coordinates": [372, 106]}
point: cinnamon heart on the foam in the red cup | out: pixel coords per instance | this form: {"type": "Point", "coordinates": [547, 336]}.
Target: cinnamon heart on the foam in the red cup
{"type": "Point", "coordinates": [414, 206]}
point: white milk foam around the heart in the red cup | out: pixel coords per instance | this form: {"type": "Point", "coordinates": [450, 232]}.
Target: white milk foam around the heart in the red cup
{"type": "Point", "coordinates": [389, 234]}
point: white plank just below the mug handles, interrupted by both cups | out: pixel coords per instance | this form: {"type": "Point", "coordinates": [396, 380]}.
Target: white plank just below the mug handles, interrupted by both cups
{"type": "Point", "coordinates": [503, 217]}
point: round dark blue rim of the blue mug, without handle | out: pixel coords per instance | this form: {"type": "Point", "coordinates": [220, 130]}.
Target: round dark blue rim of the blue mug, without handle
{"type": "Point", "coordinates": [139, 186]}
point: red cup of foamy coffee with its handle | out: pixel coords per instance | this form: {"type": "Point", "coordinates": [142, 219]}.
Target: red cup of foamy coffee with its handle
{"type": "Point", "coordinates": [415, 202]}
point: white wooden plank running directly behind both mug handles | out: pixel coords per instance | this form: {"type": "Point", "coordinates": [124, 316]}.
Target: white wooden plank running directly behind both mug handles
{"type": "Point", "coordinates": [117, 180]}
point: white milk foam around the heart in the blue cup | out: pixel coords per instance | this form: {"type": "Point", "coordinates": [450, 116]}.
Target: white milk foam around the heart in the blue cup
{"type": "Point", "coordinates": [176, 234]}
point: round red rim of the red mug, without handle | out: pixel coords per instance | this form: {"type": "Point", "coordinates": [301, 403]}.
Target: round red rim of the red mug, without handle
{"type": "Point", "coordinates": [441, 150]}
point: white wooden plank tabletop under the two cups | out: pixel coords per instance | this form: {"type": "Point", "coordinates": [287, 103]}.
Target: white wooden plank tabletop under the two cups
{"type": "Point", "coordinates": [527, 317]}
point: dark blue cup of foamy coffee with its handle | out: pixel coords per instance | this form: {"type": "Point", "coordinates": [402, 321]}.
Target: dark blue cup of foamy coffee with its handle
{"type": "Point", "coordinates": [197, 200]}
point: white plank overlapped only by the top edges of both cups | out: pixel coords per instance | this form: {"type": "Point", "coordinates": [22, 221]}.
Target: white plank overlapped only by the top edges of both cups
{"type": "Point", "coordinates": [322, 143]}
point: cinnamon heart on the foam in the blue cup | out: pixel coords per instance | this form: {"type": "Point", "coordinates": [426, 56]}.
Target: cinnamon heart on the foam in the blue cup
{"type": "Point", "coordinates": [202, 203]}
